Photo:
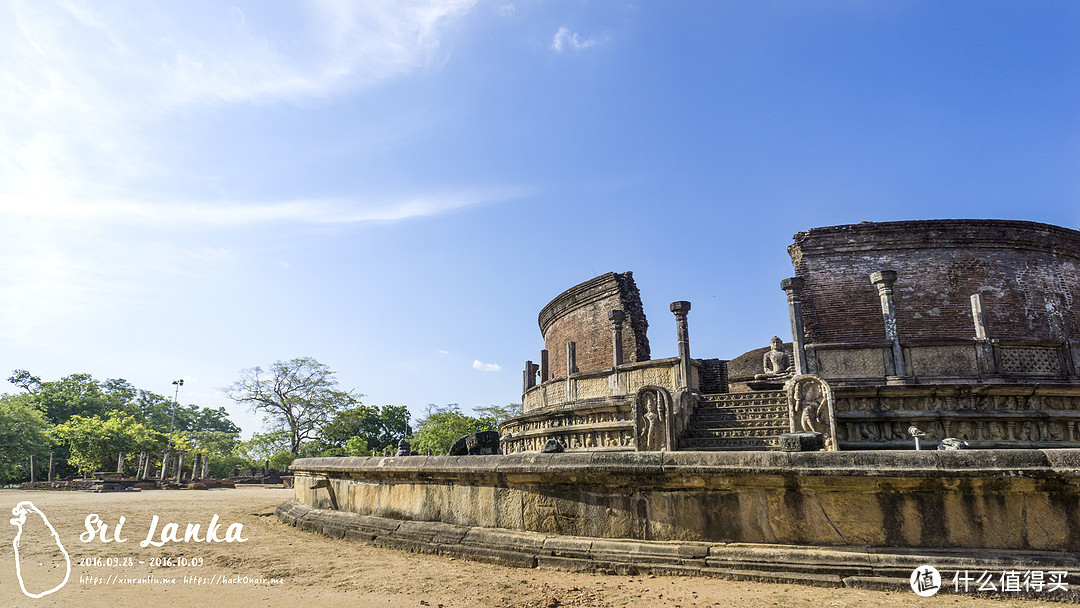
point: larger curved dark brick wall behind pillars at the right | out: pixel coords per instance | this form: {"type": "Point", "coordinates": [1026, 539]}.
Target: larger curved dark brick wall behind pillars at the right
{"type": "Point", "coordinates": [1029, 276]}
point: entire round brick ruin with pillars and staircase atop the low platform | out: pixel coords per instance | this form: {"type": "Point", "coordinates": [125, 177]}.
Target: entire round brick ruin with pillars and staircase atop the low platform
{"type": "Point", "coordinates": [962, 330]}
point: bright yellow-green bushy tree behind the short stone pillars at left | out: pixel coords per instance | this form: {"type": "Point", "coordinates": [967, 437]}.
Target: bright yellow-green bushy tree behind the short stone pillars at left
{"type": "Point", "coordinates": [94, 442]}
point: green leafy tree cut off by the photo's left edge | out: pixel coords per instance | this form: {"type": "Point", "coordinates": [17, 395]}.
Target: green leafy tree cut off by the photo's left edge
{"type": "Point", "coordinates": [23, 434]}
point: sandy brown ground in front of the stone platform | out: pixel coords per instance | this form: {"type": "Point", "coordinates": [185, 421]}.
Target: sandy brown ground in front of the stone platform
{"type": "Point", "coordinates": [279, 565]}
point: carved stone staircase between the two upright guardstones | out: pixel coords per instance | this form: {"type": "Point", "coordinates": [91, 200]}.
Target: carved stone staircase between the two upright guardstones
{"type": "Point", "coordinates": [727, 422]}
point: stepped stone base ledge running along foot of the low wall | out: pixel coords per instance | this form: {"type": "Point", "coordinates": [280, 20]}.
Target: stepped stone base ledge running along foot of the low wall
{"type": "Point", "coordinates": [862, 568]}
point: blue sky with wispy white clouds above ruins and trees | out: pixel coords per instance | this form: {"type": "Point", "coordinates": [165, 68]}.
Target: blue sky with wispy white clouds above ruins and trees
{"type": "Point", "coordinates": [188, 190]}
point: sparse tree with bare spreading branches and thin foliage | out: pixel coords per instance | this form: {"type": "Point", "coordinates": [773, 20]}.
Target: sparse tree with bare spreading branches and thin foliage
{"type": "Point", "coordinates": [298, 397]}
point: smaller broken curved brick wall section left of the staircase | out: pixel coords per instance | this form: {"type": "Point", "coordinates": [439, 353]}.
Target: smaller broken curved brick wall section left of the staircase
{"type": "Point", "coordinates": [580, 315]}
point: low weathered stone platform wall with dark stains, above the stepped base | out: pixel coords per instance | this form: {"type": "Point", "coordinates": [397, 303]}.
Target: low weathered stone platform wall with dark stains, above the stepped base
{"type": "Point", "coordinates": [1004, 501]}
